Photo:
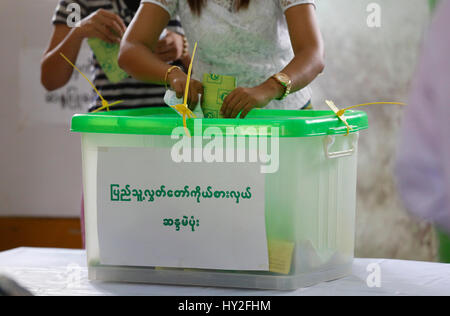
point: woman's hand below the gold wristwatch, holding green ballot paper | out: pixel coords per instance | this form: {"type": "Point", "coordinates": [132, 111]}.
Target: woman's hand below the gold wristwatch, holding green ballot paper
{"type": "Point", "coordinates": [246, 99]}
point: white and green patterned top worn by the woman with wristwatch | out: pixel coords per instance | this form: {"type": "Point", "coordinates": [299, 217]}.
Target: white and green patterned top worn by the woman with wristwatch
{"type": "Point", "coordinates": [251, 44]}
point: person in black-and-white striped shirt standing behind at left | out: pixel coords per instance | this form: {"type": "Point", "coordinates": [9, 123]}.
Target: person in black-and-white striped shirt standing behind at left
{"type": "Point", "coordinates": [107, 20]}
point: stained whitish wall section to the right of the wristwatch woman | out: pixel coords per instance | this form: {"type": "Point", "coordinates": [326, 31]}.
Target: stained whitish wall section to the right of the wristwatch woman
{"type": "Point", "coordinates": [367, 65]}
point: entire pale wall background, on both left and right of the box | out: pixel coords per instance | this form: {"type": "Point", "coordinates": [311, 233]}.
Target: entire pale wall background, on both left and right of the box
{"type": "Point", "coordinates": [40, 161]}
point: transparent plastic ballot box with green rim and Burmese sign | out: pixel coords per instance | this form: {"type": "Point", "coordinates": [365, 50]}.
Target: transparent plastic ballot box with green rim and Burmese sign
{"type": "Point", "coordinates": [264, 202]}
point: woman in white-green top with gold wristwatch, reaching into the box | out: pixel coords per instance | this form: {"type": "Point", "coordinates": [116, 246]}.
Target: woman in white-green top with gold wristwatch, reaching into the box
{"type": "Point", "coordinates": [273, 48]}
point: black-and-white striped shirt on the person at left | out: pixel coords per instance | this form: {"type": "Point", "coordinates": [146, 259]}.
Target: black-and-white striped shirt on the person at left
{"type": "Point", "coordinates": [134, 93]}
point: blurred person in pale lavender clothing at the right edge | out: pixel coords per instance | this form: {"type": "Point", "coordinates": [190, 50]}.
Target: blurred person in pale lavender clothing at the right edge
{"type": "Point", "coordinates": [423, 162]}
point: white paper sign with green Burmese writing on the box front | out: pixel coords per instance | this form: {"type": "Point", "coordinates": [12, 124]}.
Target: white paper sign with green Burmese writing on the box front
{"type": "Point", "coordinates": [216, 230]}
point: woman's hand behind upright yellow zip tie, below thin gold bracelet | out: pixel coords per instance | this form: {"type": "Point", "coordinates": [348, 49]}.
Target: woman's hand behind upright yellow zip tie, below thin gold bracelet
{"type": "Point", "coordinates": [177, 80]}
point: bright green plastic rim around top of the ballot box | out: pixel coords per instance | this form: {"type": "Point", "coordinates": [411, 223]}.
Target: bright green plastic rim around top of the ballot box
{"type": "Point", "coordinates": [162, 121]}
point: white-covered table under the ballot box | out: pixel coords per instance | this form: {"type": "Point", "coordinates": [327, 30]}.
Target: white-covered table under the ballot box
{"type": "Point", "coordinates": [46, 271]}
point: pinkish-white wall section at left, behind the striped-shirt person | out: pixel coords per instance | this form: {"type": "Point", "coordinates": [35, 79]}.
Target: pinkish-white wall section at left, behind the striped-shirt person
{"type": "Point", "coordinates": [40, 160]}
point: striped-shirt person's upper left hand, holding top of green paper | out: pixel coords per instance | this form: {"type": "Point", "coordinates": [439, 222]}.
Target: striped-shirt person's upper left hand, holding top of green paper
{"type": "Point", "coordinates": [101, 24]}
